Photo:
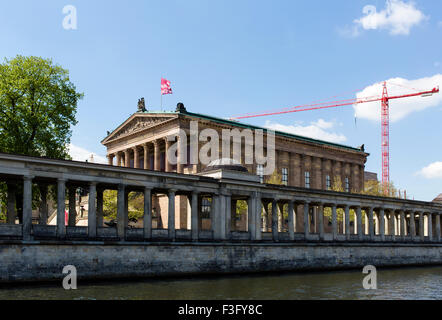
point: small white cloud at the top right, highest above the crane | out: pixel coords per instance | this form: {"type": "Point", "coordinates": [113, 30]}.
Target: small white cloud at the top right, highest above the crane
{"type": "Point", "coordinates": [398, 17]}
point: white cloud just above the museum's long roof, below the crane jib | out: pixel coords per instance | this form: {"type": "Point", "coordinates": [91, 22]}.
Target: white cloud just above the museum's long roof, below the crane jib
{"type": "Point", "coordinates": [316, 130]}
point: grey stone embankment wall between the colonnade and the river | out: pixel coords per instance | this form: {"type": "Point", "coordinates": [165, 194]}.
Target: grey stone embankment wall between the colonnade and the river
{"type": "Point", "coordinates": [45, 262]}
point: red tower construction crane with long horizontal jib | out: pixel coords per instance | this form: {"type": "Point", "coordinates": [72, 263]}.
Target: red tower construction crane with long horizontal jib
{"type": "Point", "coordinates": [385, 118]}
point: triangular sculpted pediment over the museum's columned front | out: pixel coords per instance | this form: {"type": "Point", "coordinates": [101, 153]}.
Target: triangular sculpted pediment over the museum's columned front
{"type": "Point", "coordinates": [138, 123]}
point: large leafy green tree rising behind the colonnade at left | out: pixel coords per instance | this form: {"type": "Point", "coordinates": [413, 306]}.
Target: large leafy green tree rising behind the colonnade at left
{"type": "Point", "coordinates": [38, 104]}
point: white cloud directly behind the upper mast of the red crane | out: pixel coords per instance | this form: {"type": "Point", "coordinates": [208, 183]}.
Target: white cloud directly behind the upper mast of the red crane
{"type": "Point", "coordinates": [399, 108]}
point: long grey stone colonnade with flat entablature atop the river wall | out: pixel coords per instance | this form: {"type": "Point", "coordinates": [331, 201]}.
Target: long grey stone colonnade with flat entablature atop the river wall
{"type": "Point", "coordinates": [350, 218]}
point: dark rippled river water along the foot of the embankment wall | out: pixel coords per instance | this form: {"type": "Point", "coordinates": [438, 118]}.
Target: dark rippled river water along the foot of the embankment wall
{"type": "Point", "coordinates": [404, 283]}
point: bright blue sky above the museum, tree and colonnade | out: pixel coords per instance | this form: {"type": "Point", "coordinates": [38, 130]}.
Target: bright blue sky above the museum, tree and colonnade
{"type": "Point", "coordinates": [229, 57]}
